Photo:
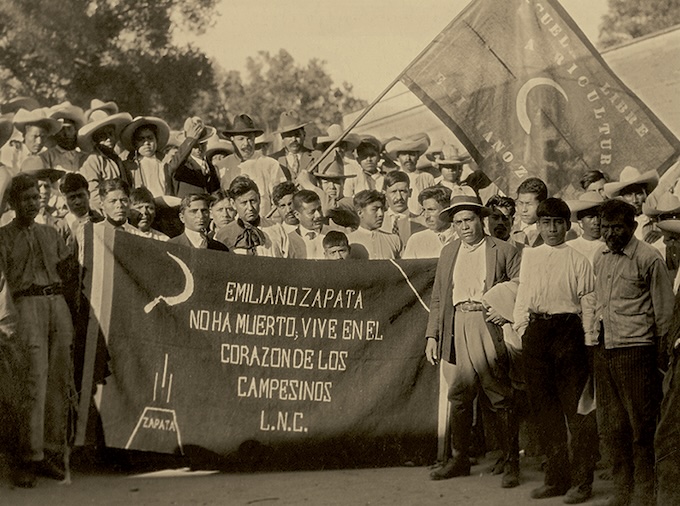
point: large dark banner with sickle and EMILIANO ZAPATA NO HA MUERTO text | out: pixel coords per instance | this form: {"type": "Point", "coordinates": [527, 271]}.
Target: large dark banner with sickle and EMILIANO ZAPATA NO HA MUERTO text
{"type": "Point", "coordinates": [217, 351]}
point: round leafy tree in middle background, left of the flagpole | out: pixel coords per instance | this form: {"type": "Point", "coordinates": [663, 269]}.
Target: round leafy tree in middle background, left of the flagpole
{"type": "Point", "coordinates": [275, 83]}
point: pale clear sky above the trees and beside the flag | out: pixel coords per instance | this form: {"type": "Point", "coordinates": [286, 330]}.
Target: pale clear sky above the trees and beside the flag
{"type": "Point", "coordinates": [364, 42]}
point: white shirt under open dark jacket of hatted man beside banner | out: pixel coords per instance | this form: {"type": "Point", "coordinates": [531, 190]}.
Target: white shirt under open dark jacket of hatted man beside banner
{"type": "Point", "coordinates": [469, 272]}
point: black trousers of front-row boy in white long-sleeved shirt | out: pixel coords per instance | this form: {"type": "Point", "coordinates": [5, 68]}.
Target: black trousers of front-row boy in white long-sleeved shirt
{"type": "Point", "coordinates": [556, 363]}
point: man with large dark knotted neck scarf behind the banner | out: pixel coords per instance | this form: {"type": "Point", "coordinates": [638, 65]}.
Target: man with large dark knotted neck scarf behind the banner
{"type": "Point", "coordinates": [251, 234]}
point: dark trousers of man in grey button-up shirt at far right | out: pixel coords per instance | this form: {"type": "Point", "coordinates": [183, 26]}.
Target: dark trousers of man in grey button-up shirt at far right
{"type": "Point", "coordinates": [628, 390]}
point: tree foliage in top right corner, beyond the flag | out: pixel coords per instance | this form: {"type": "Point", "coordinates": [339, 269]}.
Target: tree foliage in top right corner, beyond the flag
{"type": "Point", "coordinates": [629, 19]}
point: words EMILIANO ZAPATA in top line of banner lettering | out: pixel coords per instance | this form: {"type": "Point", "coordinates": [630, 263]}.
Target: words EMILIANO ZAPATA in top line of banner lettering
{"type": "Point", "coordinates": [328, 298]}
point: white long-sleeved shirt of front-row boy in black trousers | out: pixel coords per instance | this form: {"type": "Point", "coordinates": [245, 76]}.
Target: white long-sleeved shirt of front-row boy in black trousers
{"type": "Point", "coordinates": [552, 280]}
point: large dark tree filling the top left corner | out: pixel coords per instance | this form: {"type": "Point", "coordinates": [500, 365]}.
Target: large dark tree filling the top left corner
{"type": "Point", "coordinates": [120, 50]}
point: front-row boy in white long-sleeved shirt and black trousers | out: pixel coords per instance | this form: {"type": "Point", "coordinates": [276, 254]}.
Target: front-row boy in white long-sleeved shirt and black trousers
{"type": "Point", "coordinates": [554, 279]}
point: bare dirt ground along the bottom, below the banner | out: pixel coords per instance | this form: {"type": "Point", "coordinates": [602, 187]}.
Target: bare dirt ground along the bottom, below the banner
{"type": "Point", "coordinates": [385, 486]}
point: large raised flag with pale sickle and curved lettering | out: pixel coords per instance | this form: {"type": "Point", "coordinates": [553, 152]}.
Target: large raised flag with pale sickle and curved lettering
{"type": "Point", "coordinates": [528, 95]}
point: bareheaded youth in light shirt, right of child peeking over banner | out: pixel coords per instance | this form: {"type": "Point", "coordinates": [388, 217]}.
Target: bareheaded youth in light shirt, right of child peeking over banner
{"type": "Point", "coordinates": [369, 241]}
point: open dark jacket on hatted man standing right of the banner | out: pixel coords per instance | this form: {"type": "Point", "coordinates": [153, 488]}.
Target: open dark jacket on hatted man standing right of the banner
{"type": "Point", "coordinates": [502, 264]}
